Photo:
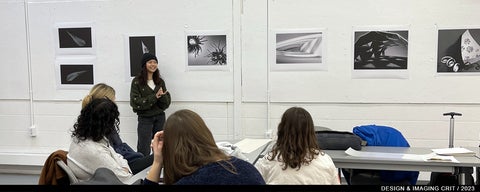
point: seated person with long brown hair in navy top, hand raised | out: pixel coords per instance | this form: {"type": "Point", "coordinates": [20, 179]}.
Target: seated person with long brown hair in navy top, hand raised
{"type": "Point", "coordinates": [189, 155]}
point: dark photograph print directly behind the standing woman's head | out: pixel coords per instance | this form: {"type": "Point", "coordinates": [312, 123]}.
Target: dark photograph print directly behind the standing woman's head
{"type": "Point", "coordinates": [137, 46]}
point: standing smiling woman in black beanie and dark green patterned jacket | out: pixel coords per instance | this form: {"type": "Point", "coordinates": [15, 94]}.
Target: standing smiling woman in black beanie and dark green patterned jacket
{"type": "Point", "coordinates": [149, 98]}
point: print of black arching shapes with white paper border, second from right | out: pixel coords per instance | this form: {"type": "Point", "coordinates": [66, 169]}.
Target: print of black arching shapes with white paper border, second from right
{"type": "Point", "coordinates": [380, 52]}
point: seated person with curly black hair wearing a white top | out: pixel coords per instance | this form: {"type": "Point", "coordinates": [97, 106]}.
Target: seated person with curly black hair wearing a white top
{"type": "Point", "coordinates": [90, 148]}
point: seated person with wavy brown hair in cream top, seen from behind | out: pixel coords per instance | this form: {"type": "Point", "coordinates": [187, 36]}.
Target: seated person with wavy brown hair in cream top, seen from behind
{"type": "Point", "coordinates": [296, 158]}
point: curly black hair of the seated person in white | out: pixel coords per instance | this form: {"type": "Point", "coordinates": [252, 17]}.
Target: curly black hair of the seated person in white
{"type": "Point", "coordinates": [97, 119]}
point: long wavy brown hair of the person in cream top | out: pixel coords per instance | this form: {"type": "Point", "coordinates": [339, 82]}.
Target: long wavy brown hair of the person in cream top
{"type": "Point", "coordinates": [296, 144]}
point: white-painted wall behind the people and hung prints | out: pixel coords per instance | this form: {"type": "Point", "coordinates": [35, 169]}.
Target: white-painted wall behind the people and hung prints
{"type": "Point", "coordinates": [248, 99]}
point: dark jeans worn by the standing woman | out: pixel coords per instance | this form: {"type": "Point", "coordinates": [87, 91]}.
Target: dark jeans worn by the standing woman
{"type": "Point", "coordinates": [147, 127]}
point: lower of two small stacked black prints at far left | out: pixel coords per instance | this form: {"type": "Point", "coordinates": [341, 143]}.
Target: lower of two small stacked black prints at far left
{"type": "Point", "coordinates": [76, 74]}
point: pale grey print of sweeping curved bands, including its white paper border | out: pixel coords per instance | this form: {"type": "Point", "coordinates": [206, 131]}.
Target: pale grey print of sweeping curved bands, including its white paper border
{"type": "Point", "coordinates": [298, 50]}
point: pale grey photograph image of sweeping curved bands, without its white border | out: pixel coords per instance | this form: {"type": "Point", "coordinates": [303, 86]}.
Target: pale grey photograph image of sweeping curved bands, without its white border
{"type": "Point", "coordinates": [294, 48]}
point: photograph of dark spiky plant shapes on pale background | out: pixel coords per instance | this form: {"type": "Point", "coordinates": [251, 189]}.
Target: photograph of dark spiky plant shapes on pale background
{"type": "Point", "coordinates": [207, 51]}
